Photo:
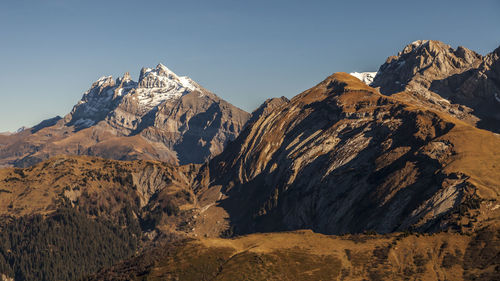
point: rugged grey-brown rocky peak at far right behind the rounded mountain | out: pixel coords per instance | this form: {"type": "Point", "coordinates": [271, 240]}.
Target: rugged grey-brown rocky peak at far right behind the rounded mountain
{"type": "Point", "coordinates": [458, 81]}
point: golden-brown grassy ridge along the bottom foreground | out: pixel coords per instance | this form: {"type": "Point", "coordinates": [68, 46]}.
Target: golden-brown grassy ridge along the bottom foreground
{"type": "Point", "coordinates": [304, 255]}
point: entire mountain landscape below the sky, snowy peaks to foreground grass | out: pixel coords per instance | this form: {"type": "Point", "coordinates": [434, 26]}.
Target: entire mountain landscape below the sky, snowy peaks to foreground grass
{"type": "Point", "coordinates": [394, 173]}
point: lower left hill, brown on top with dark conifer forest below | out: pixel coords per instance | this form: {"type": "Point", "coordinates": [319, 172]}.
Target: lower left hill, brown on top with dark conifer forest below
{"type": "Point", "coordinates": [69, 216]}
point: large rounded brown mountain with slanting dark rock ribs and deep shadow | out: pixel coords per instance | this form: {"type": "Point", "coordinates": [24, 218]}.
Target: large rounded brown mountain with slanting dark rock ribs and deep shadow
{"type": "Point", "coordinates": [342, 158]}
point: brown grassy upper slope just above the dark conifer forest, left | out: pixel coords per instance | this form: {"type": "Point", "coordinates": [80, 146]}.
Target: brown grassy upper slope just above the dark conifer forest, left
{"type": "Point", "coordinates": [98, 187]}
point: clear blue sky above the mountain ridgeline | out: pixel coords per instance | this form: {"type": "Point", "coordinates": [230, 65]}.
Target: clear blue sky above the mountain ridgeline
{"type": "Point", "coordinates": [244, 51]}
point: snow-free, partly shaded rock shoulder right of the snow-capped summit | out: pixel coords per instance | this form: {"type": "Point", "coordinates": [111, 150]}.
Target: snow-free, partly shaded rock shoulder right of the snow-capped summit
{"type": "Point", "coordinates": [197, 126]}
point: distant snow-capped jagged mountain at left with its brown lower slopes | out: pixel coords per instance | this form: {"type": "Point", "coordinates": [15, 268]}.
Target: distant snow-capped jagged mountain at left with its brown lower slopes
{"type": "Point", "coordinates": [160, 117]}
